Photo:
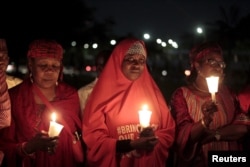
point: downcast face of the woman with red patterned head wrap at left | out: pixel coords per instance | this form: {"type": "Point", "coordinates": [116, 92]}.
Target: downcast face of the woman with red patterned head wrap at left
{"type": "Point", "coordinates": [45, 71]}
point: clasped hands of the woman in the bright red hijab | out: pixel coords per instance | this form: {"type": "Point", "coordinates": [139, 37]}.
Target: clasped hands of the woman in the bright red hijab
{"type": "Point", "coordinates": [146, 141]}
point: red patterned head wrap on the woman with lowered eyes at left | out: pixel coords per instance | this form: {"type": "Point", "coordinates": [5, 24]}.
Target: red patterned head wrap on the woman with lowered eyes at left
{"type": "Point", "coordinates": [45, 48]}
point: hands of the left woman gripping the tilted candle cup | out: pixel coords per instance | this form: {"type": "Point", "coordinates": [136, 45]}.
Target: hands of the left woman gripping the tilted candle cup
{"type": "Point", "coordinates": [41, 142]}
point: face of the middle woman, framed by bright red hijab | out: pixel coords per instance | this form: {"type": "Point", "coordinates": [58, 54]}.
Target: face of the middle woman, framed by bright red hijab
{"type": "Point", "coordinates": [133, 66]}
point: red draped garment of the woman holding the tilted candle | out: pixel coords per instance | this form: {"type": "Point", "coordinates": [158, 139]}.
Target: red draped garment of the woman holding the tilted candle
{"type": "Point", "coordinates": [26, 120]}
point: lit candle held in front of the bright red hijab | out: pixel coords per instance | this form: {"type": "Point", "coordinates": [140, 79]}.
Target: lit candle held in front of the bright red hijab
{"type": "Point", "coordinates": [144, 116]}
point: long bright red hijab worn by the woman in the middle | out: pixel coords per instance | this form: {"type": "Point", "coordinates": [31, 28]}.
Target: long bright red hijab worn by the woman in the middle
{"type": "Point", "coordinates": [114, 103]}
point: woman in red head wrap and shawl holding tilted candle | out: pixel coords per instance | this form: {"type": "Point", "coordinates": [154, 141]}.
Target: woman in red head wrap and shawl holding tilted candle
{"type": "Point", "coordinates": [26, 142]}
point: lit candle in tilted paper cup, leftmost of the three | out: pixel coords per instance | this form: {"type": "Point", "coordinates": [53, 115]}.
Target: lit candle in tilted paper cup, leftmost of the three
{"type": "Point", "coordinates": [54, 128]}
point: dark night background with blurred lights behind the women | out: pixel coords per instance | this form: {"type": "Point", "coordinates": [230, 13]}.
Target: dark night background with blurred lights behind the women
{"type": "Point", "coordinates": [90, 21]}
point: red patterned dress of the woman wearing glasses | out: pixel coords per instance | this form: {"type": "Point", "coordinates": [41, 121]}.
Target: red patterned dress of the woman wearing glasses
{"type": "Point", "coordinates": [186, 107]}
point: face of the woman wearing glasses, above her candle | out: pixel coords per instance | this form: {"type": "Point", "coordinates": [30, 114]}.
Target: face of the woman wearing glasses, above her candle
{"type": "Point", "coordinates": [212, 64]}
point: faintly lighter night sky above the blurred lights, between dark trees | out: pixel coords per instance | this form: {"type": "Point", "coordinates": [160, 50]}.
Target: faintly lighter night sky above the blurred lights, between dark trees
{"type": "Point", "coordinates": [162, 18]}
